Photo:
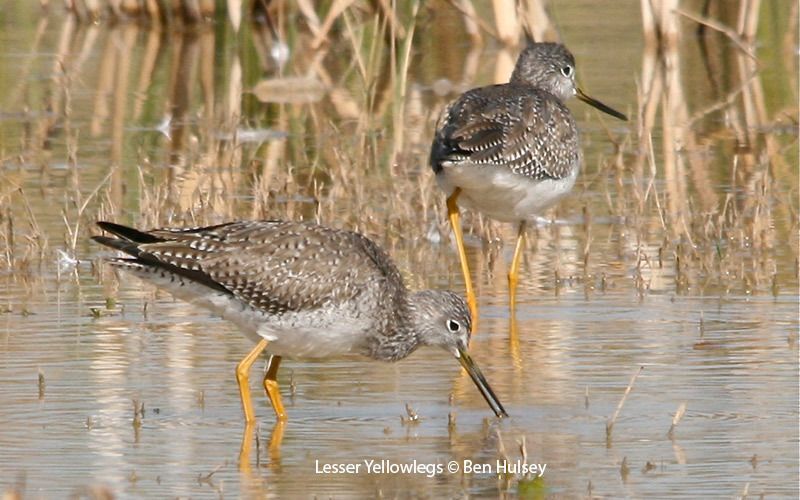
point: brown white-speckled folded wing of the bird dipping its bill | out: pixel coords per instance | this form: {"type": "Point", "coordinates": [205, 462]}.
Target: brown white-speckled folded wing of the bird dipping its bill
{"type": "Point", "coordinates": [271, 265]}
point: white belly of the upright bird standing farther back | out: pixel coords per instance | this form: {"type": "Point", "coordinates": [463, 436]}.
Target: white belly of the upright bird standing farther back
{"type": "Point", "coordinates": [502, 194]}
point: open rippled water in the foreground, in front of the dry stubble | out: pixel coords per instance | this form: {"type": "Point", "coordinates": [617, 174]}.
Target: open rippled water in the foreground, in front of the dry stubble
{"type": "Point", "coordinates": [560, 382]}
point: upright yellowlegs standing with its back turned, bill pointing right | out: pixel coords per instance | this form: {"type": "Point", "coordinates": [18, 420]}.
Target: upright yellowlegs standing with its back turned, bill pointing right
{"type": "Point", "coordinates": [511, 150]}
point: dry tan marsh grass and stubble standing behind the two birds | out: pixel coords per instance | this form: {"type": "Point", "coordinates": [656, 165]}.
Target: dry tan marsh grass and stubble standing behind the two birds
{"type": "Point", "coordinates": [339, 133]}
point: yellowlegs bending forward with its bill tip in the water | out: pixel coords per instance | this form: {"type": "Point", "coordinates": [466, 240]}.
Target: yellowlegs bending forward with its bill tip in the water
{"type": "Point", "coordinates": [298, 289]}
